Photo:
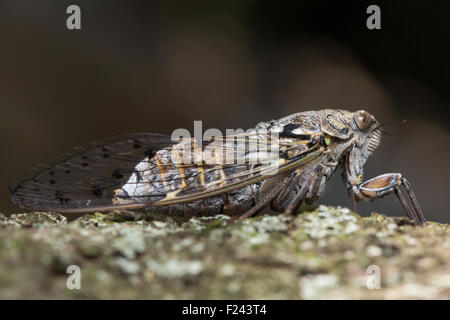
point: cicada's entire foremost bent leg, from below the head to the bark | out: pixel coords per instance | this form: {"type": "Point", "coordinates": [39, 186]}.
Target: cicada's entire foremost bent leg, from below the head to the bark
{"type": "Point", "coordinates": [381, 186]}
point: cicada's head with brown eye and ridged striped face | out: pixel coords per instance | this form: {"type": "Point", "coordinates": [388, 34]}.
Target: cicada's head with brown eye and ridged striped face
{"type": "Point", "coordinates": [368, 130]}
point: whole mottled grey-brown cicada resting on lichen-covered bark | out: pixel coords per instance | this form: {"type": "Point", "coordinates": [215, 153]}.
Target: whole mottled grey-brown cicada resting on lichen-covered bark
{"type": "Point", "coordinates": [144, 171]}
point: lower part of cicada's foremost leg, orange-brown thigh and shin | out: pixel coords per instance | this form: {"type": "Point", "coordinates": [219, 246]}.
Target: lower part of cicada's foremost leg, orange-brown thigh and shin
{"type": "Point", "coordinates": [385, 184]}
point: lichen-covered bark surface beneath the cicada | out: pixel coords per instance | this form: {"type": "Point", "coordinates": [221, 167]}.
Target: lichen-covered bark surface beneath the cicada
{"type": "Point", "coordinates": [321, 254]}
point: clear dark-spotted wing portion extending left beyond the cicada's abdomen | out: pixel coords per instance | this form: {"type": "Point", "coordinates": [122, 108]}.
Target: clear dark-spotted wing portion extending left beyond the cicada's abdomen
{"type": "Point", "coordinates": [86, 177]}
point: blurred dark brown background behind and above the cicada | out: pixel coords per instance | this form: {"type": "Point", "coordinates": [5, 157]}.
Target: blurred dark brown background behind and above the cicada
{"type": "Point", "coordinates": [157, 66]}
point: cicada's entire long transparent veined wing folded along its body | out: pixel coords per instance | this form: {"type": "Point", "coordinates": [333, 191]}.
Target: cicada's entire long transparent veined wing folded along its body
{"type": "Point", "coordinates": [142, 170]}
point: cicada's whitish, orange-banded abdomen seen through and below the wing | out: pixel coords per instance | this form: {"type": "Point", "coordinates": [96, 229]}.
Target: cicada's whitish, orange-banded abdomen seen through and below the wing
{"type": "Point", "coordinates": [158, 177]}
